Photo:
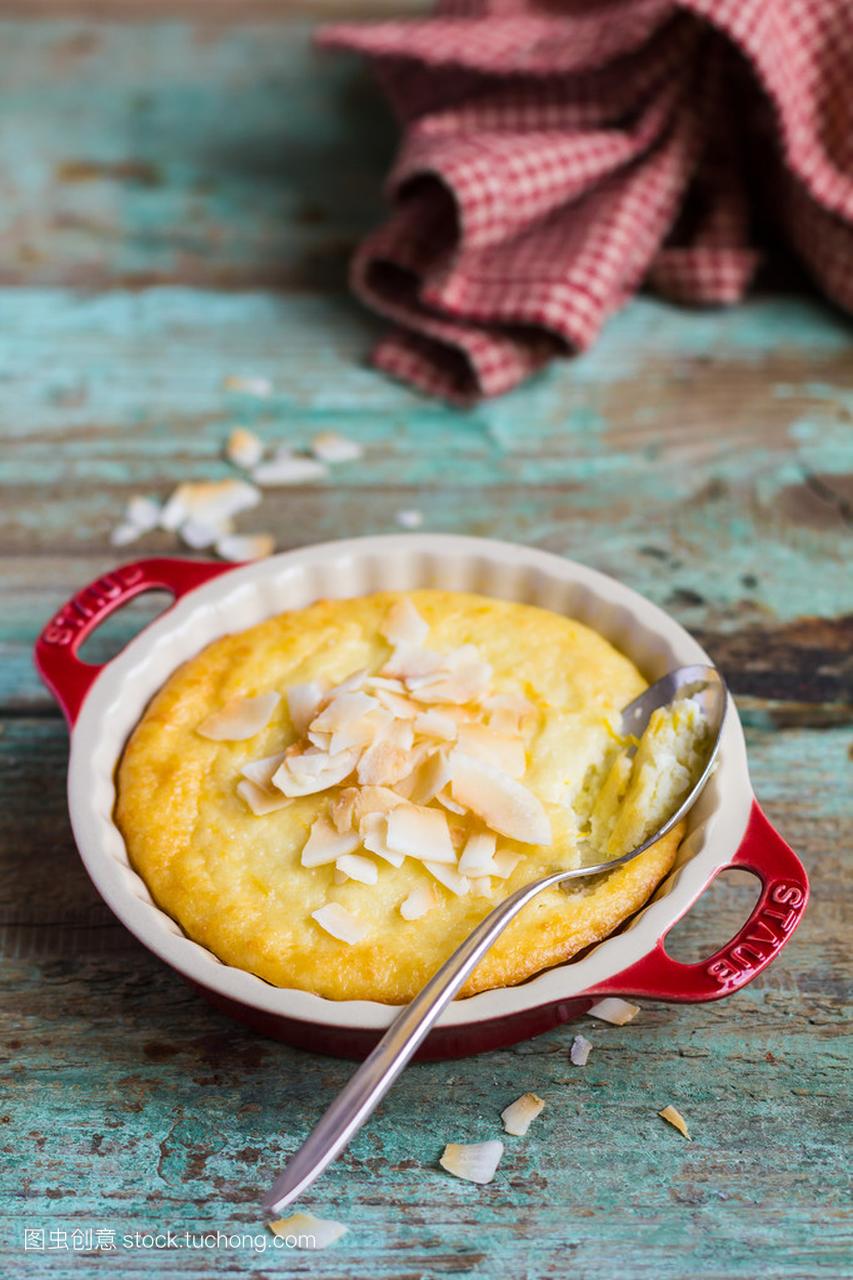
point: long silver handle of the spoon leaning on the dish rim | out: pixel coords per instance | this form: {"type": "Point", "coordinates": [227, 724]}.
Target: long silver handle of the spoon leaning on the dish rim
{"type": "Point", "coordinates": [380, 1071]}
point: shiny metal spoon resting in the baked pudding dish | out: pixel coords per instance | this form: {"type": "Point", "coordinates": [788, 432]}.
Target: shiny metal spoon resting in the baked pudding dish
{"type": "Point", "coordinates": [381, 1069]}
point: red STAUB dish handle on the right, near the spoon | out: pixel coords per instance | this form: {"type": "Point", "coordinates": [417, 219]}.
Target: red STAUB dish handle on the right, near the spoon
{"type": "Point", "coordinates": [772, 924]}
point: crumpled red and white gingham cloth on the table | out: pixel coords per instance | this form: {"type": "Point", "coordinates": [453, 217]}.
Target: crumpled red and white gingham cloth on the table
{"type": "Point", "coordinates": [559, 154]}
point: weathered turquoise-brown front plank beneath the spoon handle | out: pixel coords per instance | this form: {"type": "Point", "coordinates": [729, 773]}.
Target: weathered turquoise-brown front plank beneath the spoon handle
{"type": "Point", "coordinates": [184, 1116]}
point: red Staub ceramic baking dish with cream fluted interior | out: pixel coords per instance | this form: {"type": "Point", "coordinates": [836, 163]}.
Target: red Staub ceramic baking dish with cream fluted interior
{"type": "Point", "coordinates": [102, 705]}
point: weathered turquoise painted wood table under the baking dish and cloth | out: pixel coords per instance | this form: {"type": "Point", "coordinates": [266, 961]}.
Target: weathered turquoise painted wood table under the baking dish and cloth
{"type": "Point", "coordinates": [181, 186]}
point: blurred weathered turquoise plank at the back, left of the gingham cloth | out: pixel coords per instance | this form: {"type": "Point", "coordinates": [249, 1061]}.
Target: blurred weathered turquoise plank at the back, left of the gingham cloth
{"type": "Point", "coordinates": [191, 153]}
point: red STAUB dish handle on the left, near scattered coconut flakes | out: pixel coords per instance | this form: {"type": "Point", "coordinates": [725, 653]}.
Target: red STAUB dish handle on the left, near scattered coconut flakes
{"type": "Point", "coordinates": [66, 675]}
